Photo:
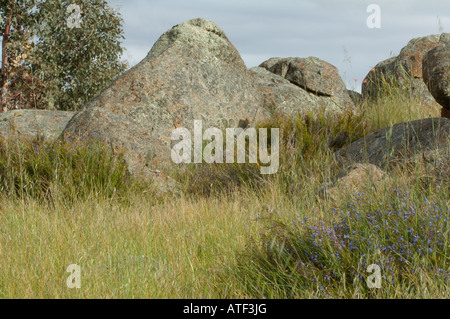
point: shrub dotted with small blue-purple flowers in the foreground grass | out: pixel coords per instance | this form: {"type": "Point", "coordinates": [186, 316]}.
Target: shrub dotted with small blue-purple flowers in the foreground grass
{"type": "Point", "coordinates": [404, 235]}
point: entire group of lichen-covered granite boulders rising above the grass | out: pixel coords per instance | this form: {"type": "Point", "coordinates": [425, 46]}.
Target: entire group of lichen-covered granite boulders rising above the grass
{"type": "Point", "coordinates": [193, 72]}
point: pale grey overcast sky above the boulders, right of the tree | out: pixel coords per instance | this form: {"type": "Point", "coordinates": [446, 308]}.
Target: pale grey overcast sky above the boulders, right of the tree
{"type": "Point", "coordinates": [335, 31]}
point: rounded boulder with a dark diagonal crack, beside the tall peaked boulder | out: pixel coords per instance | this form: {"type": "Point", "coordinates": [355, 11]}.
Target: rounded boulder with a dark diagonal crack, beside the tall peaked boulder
{"type": "Point", "coordinates": [296, 84]}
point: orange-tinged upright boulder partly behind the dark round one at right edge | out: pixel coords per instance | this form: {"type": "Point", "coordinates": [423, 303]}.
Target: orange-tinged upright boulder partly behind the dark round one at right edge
{"type": "Point", "coordinates": [404, 70]}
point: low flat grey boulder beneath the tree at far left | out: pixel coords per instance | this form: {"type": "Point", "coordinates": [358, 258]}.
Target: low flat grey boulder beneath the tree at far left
{"type": "Point", "coordinates": [29, 124]}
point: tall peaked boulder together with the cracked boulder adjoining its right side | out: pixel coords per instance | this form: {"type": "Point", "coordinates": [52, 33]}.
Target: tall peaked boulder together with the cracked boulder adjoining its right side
{"type": "Point", "coordinates": [193, 72]}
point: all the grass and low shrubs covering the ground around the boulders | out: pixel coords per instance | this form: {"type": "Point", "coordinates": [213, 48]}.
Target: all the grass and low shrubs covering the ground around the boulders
{"type": "Point", "coordinates": [233, 234]}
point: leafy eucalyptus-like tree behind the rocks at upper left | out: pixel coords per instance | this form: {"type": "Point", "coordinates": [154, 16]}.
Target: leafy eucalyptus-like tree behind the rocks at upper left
{"type": "Point", "coordinates": [62, 66]}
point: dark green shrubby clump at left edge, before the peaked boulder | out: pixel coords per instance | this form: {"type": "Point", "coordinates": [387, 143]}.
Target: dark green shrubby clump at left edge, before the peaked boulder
{"type": "Point", "coordinates": [41, 169]}
